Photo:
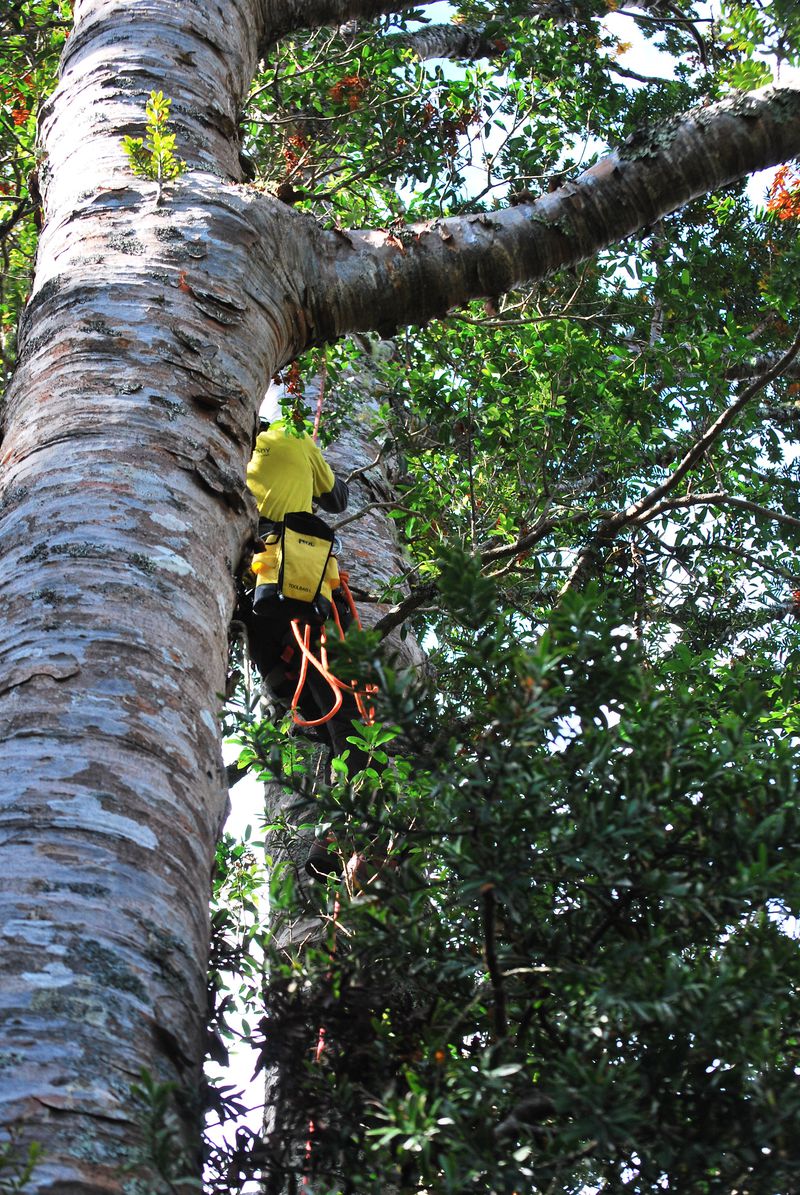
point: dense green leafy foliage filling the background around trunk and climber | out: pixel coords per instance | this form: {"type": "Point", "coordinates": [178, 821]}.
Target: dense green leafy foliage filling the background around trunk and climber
{"type": "Point", "coordinates": [573, 964]}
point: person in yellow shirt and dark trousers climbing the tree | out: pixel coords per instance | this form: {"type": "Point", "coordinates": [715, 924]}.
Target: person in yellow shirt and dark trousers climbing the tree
{"type": "Point", "coordinates": [288, 475]}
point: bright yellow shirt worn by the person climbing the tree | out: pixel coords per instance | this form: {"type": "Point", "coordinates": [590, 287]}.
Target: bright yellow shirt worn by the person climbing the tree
{"type": "Point", "coordinates": [288, 473]}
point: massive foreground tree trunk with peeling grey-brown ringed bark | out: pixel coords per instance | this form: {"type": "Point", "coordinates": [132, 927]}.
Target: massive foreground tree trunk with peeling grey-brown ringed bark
{"type": "Point", "coordinates": [129, 425]}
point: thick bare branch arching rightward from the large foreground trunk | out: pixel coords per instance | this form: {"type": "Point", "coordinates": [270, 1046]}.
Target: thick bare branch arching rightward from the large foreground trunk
{"type": "Point", "coordinates": [364, 281]}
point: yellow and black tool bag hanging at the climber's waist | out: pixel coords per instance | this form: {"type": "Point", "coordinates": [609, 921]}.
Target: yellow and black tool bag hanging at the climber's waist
{"type": "Point", "coordinates": [297, 571]}
